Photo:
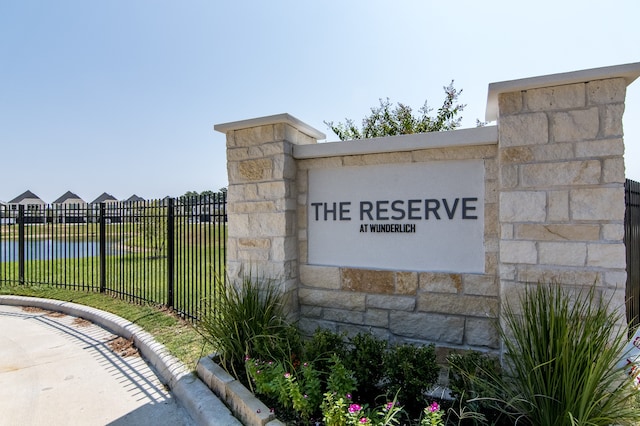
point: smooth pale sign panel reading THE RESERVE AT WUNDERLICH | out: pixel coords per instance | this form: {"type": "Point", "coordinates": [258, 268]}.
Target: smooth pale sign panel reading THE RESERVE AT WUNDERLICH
{"type": "Point", "coordinates": [415, 217]}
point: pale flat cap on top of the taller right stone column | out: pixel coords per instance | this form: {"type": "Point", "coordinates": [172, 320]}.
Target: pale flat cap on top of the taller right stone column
{"type": "Point", "coordinates": [627, 71]}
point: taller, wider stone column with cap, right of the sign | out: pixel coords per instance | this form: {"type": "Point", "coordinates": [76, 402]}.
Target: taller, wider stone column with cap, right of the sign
{"type": "Point", "coordinates": [561, 188]}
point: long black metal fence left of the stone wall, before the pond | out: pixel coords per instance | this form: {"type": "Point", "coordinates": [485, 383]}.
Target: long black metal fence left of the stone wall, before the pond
{"type": "Point", "coordinates": [169, 252]}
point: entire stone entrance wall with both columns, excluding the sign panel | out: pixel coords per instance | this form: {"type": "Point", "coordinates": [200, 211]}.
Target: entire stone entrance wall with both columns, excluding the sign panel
{"type": "Point", "coordinates": [554, 210]}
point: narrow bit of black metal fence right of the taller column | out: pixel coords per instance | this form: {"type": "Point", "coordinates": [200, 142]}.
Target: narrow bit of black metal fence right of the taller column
{"type": "Point", "coordinates": [632, 243]}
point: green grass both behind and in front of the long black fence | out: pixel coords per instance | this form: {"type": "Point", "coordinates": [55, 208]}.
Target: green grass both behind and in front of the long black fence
{"type": "Point", "coordinates": [135, 272]}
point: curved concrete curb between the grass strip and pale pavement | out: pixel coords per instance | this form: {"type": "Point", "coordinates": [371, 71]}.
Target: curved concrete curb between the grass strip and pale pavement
{"type": "Point", "coordinates": [196, 397]}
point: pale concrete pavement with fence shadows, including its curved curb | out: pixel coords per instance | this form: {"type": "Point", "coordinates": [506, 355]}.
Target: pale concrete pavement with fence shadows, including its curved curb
{"type": "Point", "coordinates": [58, 369]}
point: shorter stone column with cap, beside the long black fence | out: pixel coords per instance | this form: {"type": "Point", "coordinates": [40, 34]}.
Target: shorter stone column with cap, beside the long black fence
{"type": "Point", "coordinates": [262, 201]}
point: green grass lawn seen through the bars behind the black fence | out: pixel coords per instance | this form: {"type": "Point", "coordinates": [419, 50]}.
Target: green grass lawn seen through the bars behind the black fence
{"type": "Point", "coordinates": [136, 271]}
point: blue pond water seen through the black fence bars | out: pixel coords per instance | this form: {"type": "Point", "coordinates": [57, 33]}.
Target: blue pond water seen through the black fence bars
{"type": "Point", "coordinates": [49, 250]}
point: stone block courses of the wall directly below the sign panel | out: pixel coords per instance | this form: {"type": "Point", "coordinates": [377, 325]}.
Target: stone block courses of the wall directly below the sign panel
{"type": "Point", "coordinates": [454, 310]}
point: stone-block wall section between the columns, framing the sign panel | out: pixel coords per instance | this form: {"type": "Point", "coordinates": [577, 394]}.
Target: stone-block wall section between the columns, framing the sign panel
{"type": "Point", "coordinates": [454, 310]}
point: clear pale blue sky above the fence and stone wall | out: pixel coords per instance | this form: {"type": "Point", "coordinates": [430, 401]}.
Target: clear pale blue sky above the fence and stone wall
{"type": "Point", "coordinates": [121, 96]}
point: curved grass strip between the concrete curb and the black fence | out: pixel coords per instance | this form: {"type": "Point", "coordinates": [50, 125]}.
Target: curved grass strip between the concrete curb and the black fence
{"type": "Point", "coordinates": [177, 335]}
